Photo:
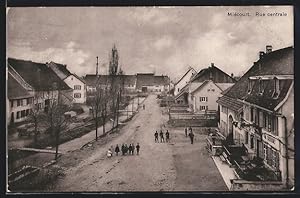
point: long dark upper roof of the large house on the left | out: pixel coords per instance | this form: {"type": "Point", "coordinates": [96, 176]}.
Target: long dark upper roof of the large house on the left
{"type": "Point", "coordinates": [38, 75]}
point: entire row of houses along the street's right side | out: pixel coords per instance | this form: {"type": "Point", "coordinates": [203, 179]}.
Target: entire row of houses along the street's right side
{"type": "Point", "coordinates": [256, 112]}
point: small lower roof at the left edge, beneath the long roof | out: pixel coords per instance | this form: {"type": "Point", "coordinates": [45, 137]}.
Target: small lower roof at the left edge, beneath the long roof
{"type": "Point", "coordinates": [15, 90]}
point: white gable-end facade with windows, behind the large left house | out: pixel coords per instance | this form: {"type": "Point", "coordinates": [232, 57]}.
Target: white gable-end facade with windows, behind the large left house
{"type": "Point", "coordinates": [78, 87]}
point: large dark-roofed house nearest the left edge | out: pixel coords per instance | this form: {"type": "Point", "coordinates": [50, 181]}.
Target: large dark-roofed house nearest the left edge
{"type": "Point", "coordinates": [40, 81]}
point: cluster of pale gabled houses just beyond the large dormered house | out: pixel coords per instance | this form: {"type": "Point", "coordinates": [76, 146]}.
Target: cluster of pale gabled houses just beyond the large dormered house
{"type": "Point", "coordinates": [200, 90]}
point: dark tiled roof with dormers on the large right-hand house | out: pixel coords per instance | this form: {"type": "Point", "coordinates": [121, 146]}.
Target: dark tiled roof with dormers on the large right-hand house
{"type": "Point", "coordinates": [279, 62]}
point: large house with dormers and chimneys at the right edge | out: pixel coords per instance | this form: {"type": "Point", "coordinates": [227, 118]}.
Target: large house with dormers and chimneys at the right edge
{"type": "Point", "coordinates": [257, 112]}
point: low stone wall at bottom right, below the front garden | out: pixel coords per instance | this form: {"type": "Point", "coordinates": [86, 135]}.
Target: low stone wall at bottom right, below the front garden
{"type": "Point", "coordinates": [243, 185]}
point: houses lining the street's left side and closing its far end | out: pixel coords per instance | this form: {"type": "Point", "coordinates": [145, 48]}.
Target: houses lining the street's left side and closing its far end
{"type": "Point", "coordinates": [31, 84]}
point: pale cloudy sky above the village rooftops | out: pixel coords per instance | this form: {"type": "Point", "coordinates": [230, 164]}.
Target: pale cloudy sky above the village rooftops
{"type": "Point", "coordinates": [165, 40]}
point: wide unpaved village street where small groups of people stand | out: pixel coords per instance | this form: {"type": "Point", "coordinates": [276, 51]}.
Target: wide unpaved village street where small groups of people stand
{"type": "Point", "coordinates": [175, 166]}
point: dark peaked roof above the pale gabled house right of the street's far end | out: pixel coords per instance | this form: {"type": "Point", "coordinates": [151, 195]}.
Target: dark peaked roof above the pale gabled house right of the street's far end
{"type": "Point", "coordinates": [213, 73]}
